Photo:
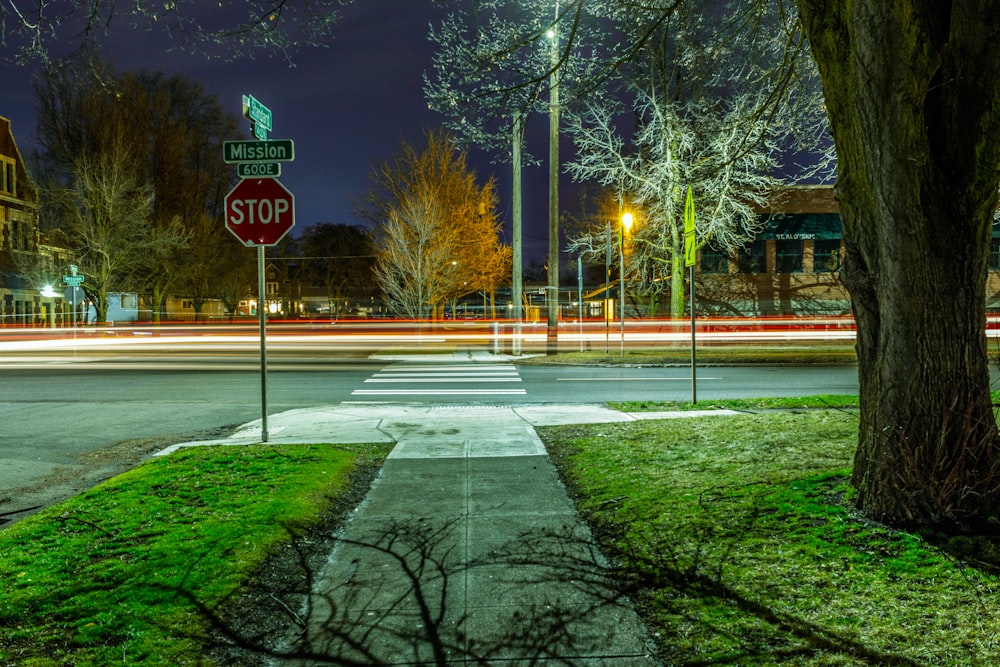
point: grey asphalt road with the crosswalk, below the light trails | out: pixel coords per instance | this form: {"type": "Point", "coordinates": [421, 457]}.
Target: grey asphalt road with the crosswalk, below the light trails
{"type": "Point", "coordinates": [69, 422]}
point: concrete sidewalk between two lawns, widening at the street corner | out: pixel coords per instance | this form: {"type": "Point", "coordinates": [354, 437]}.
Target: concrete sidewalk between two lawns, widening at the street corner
{"type": "Point", "coordinates": [466, 550]}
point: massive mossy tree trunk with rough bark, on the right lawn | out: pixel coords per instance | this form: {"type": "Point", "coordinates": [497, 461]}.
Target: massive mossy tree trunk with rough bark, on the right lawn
{"type": "Point", "coordinates": [912, 93]}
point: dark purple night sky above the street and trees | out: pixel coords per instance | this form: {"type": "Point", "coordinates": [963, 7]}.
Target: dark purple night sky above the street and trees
{"type": "Point", "coordinates": [346, 107]}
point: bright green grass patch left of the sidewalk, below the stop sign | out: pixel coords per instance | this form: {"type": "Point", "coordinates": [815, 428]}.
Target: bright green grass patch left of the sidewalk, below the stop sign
{"type": "Point", "coordinates": [115, 575]}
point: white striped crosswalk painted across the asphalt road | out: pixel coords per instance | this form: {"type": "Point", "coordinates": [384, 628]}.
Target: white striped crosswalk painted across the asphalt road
{"type": "Point", "coordinates": [443, 379]}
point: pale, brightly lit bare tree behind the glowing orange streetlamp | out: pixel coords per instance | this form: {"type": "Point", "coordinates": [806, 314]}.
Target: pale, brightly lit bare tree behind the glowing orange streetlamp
{"type": "Point", "coordinates": [652, 179]}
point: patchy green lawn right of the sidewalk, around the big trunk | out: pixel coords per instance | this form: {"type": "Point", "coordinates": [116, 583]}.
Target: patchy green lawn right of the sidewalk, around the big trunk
{"type": "Point", "coordinates": [739, 540]}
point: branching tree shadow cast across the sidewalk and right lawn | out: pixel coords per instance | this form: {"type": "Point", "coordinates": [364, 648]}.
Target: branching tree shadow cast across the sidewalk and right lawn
{"type": "Point", "coordinates": [404, 592]}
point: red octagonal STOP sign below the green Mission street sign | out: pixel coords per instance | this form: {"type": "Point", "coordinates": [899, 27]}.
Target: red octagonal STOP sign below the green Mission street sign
{"type": "Point", "coordinates": [260, 211]}
